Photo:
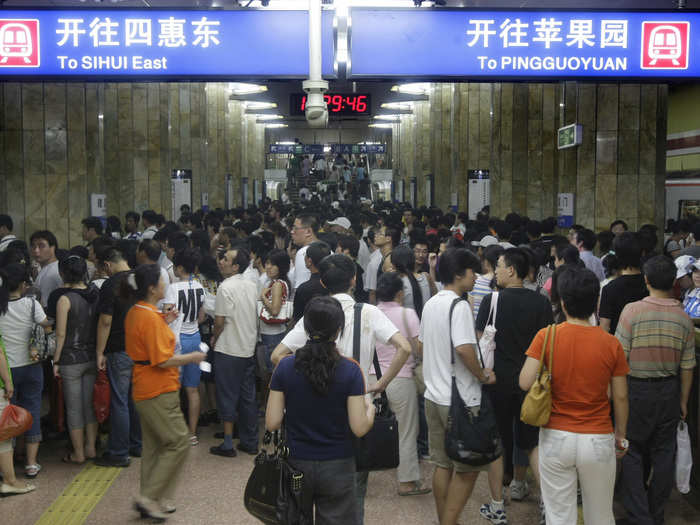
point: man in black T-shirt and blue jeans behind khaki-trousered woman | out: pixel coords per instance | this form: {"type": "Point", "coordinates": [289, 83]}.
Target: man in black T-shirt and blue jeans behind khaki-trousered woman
{"type": "Point", "coordinates": [125, 429]}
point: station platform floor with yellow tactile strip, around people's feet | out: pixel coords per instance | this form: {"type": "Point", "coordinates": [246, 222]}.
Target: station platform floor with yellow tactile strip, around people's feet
{"type": "Point", "coordinates": [211, 492]}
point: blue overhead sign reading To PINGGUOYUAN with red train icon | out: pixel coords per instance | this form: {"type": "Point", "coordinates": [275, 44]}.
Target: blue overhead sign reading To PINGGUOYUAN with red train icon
{"type": "Point", "coordinates": [444, 43]}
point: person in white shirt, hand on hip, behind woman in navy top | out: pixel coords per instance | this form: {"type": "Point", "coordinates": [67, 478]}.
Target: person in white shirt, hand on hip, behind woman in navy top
{"type": "Point", "coordinates": [338, 276]}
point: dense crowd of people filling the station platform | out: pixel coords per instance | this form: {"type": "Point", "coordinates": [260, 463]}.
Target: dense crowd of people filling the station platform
{"type": "Point", "coordinates": [267, 297]}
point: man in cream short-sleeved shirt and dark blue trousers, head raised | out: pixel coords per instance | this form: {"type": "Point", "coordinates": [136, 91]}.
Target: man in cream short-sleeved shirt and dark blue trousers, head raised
{"type": "Point", "coordinates": [233, 341]}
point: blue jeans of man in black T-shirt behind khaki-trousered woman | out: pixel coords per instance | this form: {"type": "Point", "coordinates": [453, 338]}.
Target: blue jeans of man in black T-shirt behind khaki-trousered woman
{"type": "Point", "coordinates": [125, 428]}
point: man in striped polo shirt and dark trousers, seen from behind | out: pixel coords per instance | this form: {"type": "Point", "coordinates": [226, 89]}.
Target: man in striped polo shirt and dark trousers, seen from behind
{"type": "Point", "coordinates": [658, 339]}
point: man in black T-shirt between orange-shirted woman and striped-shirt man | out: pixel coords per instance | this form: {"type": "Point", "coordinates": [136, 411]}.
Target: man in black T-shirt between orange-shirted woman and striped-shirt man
{"type": "Point", "coordinates": [628, 287]}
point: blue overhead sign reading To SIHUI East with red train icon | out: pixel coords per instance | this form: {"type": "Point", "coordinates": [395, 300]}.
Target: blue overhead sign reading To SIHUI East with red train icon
{"type": "Point", "coordinates": [155, 43]}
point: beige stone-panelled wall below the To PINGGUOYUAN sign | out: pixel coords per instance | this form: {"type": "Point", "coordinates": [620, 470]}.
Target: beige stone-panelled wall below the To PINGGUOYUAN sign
{"type": "Point", "coordinates": [510, 129]}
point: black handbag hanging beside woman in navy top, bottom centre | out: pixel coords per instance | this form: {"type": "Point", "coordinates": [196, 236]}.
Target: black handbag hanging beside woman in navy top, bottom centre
{"type": "Point", "coordinates": [275, 491]}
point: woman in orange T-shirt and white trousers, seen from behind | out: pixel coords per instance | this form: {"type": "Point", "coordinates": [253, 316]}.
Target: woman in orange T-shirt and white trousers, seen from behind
{"type": "Point", "coordinates": [578, 442]}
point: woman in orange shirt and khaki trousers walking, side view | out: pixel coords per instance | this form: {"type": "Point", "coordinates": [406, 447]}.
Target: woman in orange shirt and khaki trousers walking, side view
{"type": "Point", "coordinates": [150, 344]}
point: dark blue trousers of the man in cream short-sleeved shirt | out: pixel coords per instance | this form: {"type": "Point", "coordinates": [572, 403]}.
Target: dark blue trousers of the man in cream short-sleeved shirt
{"type": "Point", "coordinates": [235, 395]}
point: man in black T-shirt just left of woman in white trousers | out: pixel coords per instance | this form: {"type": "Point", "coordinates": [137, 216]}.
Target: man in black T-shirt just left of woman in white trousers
{"type": "Point", "coordinates": [521, 313]}
